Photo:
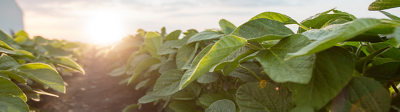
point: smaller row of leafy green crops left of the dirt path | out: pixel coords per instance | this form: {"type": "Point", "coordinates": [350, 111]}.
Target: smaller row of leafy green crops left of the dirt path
{"type": "Point", "coordinates": [29, 66]}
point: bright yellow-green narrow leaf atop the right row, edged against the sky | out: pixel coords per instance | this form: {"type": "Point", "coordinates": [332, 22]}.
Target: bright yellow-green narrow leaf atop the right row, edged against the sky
{"type": "Point", "coordinates": [275, 16]}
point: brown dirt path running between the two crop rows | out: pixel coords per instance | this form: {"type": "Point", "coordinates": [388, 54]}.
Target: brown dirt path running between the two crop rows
{"type": "Point", "coordinates": [94, 92]}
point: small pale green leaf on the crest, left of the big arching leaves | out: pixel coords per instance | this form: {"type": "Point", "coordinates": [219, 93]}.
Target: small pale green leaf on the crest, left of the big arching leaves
{"type": "Point", "coordinates": [205, 35]}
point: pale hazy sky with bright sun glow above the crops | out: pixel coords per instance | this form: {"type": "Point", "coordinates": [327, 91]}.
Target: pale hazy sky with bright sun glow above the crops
{"type": "Point", "coordinates": [102, 21]}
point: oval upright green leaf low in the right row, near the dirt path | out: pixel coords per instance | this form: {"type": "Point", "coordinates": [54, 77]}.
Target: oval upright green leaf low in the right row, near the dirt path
{"type": "Point", "coordinates": [168, 83]}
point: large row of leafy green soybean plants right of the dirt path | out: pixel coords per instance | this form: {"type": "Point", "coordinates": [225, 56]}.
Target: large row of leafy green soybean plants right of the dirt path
{"type": "Point", "coordinates": [334, 62]}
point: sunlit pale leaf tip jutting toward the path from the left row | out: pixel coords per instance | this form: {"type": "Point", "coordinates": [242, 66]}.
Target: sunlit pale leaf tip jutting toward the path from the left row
{"type": "Point", "coordinates": [68, 63]}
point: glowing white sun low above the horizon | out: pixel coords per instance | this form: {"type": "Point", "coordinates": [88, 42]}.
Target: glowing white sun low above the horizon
{"type": "Point", "coordinates": [104, 26]}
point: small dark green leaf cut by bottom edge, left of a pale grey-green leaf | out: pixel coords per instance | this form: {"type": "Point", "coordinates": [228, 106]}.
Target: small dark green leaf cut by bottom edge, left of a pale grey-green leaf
{"type": "Point", "coordinates": [183, 106]}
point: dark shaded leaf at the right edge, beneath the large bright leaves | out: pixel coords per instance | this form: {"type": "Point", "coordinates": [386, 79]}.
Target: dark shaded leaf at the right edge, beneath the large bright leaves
{"type": "Point", "coordinates": [384, 72]}
